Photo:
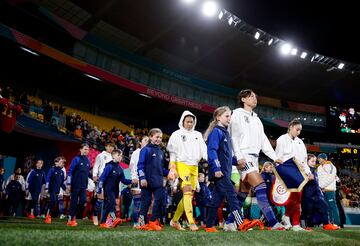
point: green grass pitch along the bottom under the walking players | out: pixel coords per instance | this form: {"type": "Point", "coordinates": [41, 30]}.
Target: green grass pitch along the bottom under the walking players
{"type": "Point", "coordinates": [23, 231]}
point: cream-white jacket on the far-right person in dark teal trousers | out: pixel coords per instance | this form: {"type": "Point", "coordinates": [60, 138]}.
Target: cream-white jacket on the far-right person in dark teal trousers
{"type": "Point", "coordinates": [327, 176]}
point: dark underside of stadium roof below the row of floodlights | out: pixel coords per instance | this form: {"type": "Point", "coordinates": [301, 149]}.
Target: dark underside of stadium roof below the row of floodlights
{"type": "Point", "coordinates": [178, 36]}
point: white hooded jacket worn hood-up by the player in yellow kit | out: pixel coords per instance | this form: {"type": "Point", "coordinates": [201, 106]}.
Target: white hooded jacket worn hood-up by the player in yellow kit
{"type": "Point", "coordinates": [187, 146]}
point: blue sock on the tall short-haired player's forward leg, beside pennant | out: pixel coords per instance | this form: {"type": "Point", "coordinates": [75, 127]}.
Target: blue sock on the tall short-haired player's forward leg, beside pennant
{"type": "Point", "coordinates": [264, 205]}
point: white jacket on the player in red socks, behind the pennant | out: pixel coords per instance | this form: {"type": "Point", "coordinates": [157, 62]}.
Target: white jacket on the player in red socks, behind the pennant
{"type": "Point", "coordinates": [288, 148]}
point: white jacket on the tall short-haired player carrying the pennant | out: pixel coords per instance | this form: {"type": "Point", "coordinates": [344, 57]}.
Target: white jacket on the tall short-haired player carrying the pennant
{"type": "Point", "coordinates": [247, 134]}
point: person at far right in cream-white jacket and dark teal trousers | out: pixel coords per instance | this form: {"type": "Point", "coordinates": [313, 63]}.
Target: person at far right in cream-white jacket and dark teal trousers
{"type": "Point", "coordinates": [327, 181]}
